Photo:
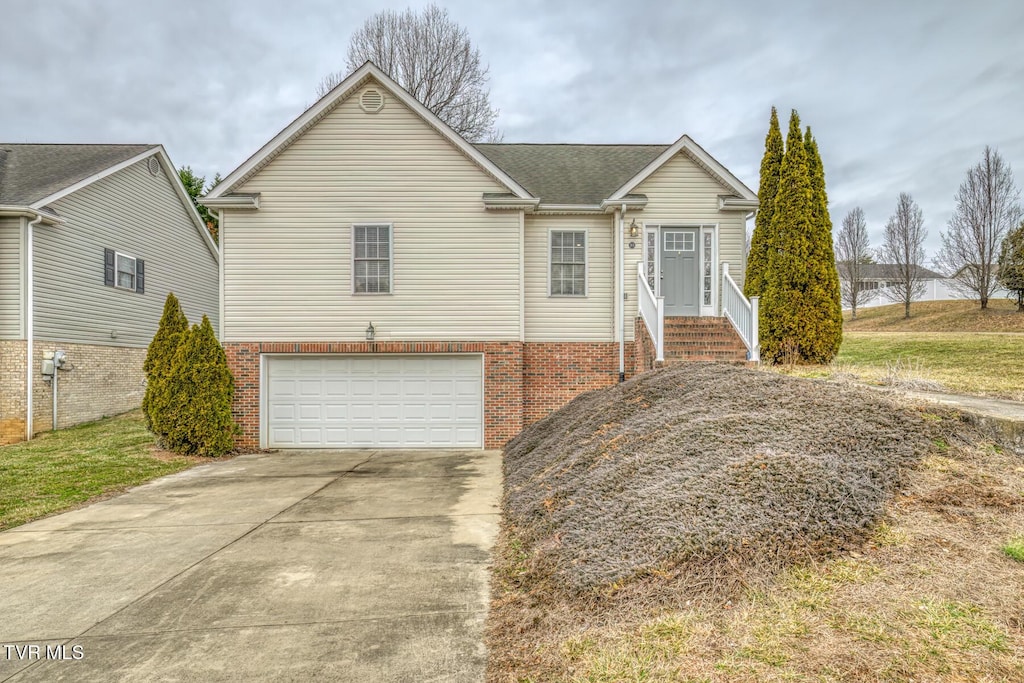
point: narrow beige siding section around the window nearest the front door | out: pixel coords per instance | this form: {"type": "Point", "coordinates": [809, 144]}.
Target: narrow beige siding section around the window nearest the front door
{"type": "Point", "coordinates": [570, 319]}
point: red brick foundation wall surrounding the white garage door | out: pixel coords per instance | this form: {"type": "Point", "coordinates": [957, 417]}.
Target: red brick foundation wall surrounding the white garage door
{"type": "Point", "coordinates": [523, 382]}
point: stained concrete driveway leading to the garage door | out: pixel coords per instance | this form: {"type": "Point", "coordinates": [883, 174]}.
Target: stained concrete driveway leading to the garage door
{"type": "Point", "coordinates": [352, 566]}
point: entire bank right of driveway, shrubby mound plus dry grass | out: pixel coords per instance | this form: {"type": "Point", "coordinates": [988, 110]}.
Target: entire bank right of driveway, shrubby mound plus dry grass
{"type": "Point", "coordinates": [744, 573]}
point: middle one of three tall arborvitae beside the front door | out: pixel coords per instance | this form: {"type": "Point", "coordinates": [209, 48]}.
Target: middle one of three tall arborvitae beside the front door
{"type": "Point", "coordinates": [785, 277]}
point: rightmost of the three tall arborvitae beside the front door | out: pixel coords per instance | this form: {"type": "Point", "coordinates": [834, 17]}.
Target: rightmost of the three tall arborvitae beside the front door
{"type": "Point", "coordinates": [823, 302]}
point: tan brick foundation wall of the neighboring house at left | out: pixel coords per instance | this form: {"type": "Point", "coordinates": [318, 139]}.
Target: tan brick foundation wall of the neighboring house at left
{"type": "Point", "coordinates": [99, 381]}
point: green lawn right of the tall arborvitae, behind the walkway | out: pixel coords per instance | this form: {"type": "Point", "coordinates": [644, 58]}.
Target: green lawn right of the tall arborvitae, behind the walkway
{"type": "Point", "coordinates": [970, 363]}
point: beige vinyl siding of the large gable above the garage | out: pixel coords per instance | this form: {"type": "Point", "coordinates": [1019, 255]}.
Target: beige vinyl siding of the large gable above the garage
{"type": "Point", "coordinates": [288, 272]}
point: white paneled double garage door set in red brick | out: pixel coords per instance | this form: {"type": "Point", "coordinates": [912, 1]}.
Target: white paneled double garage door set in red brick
{"type": "Point", "coordinates": [374, 401]}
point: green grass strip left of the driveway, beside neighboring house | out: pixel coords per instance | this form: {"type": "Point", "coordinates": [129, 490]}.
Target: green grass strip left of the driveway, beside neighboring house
{"type": "Point", "coordinates": [63, 469]}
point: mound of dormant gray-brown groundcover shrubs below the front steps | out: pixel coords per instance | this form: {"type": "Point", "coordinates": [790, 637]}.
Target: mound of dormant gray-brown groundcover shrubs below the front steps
{"type": "Point", "coordinates": [696, 462]}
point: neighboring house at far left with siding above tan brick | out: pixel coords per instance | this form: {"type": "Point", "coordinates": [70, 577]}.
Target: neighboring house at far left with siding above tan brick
{"type": "Point", "coordinates": [93, 238]}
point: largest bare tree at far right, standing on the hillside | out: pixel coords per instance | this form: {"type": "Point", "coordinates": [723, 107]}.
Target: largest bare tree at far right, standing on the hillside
{"type": "Point", "coordinates": [987, 210]}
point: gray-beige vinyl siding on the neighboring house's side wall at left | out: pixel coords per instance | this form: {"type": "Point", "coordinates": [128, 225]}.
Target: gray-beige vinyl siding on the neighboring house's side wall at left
{"type": "Point", "coordinates": [141, 216]}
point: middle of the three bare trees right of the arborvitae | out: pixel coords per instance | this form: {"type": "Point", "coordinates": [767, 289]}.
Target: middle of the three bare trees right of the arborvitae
{"type": "Point", "coordinates": [905, 249]}
